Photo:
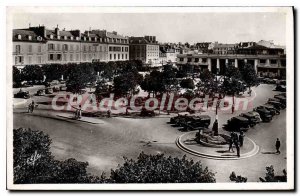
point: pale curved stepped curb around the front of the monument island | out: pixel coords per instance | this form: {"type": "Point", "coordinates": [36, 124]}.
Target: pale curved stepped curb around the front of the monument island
{"type": "Point", "coordinates": [180, 145]}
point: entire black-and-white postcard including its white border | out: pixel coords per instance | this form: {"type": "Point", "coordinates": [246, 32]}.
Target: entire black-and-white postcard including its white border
{"type": "Point", "coordinates": [150, 98]}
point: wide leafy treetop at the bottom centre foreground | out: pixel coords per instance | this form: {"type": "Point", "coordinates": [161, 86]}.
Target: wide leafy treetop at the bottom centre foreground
{"type": "Point", "coordinates": [161, 169]}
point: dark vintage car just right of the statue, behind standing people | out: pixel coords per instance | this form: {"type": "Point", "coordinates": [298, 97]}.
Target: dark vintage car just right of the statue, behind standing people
{"type": "Point", "coordinates": [237, 124]}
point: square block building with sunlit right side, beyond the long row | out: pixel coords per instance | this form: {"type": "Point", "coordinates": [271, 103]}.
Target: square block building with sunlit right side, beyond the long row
{"type": "Point", "coordinates": [145, 49]}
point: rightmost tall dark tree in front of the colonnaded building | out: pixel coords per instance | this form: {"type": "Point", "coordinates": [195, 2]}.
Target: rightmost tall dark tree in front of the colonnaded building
{"type": "Point", "coordinates": [249, 75]}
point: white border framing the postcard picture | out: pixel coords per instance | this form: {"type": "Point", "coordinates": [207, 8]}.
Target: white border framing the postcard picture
{"type": "Point", "coordinates": [181, 186]}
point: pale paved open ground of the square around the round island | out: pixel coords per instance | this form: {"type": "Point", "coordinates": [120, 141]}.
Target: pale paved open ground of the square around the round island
{"type": "Point", "coordinates": [104, 145]}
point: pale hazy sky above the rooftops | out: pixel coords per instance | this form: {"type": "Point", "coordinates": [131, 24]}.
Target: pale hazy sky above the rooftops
{"type": "Point", "coordinates": [171, 27]}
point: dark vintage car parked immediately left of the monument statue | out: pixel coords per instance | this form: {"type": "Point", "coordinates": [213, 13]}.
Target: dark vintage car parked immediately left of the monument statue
{"type": "Point", "coordinates": [197, 122]}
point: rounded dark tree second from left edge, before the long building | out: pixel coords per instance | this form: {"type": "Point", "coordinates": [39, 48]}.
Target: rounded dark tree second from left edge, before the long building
{"type": "Point", "coordinates": [32, 73]}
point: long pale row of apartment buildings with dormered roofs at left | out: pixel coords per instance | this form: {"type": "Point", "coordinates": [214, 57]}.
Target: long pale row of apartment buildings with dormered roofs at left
{"type": "Point", "coordinates": [38, 45]}
